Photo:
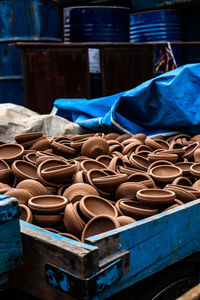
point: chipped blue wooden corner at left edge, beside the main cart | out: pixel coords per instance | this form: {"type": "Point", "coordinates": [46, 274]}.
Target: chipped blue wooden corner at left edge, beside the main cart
{"type": "Point", "coordinates": [10, 238]}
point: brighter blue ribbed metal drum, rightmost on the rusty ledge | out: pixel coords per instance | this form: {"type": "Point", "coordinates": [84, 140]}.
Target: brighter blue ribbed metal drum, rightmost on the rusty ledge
{"type": "Point", "coordinates": [155, 26]}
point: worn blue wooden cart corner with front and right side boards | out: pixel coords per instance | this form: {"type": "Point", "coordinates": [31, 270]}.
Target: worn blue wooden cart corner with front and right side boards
{"type": "Point", "coordinates": [56, 267]}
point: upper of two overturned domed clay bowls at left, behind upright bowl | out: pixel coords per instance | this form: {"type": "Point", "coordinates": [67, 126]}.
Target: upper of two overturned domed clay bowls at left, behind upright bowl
{"type": "Point", "coordinates": [32, 186]}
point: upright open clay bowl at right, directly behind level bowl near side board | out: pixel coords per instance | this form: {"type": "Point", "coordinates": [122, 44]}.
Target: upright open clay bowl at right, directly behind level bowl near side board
{"type": "Point", "coordinates": [165, 173]}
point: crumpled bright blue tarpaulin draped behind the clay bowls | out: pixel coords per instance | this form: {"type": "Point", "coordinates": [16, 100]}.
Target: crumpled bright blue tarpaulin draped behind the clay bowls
{"type": "Point", "coordinates": [168, 102]}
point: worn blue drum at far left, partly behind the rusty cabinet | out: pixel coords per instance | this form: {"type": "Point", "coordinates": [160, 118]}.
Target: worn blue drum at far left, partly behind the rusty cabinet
{"type": "Point", "coordinates": [23, 21]}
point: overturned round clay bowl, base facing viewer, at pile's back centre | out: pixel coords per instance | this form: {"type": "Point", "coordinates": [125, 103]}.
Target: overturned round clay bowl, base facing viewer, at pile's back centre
{"type": "Point", "coordinates": [94, 147]}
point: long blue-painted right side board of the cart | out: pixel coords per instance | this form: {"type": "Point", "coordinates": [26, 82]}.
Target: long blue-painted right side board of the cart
{"type": "Point", "coordinates": [155, 243]}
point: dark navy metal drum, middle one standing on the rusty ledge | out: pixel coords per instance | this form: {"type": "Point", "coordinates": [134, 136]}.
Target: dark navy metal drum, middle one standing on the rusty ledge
{"type": "Point", "coordinates": [96, 24]}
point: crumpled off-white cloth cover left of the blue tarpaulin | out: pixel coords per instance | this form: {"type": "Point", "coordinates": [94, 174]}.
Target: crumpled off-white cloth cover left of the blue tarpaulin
{"type": "Point", "coordinates": [16, 119]}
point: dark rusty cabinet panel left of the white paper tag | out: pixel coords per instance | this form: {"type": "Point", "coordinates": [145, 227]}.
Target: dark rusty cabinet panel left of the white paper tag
{"type": "Point", "coordinates": [50, 74]}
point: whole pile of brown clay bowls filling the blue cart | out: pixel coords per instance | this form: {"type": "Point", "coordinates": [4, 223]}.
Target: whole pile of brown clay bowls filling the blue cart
{"type": "Point", "coordinates": [82, 185]}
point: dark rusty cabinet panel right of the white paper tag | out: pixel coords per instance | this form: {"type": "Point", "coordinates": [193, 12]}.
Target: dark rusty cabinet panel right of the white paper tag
{"type": "Point", "coordinates": [124, 68]}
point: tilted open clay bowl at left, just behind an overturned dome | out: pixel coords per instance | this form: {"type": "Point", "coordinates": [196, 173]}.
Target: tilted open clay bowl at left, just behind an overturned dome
{"type": "Point", "coordinates": [24, 170]}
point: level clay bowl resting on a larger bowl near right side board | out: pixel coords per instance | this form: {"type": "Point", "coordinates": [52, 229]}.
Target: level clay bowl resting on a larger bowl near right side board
{"type": "Point", "coordinates": [155, 197]}
